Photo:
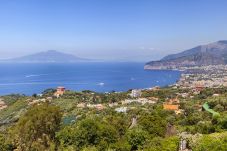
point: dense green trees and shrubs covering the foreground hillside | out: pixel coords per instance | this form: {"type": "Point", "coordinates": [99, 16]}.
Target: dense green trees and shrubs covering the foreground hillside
{"type": "Point", "coordinates": [60, 124]}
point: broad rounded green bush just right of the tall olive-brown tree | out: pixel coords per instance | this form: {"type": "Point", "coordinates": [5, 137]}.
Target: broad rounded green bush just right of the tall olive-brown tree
{"type": "Point", "coordinates": [88, 132]}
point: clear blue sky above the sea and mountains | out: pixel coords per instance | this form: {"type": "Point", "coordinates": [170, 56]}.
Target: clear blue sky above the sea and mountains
{"type": "Point", "coordinates": [129, 30]}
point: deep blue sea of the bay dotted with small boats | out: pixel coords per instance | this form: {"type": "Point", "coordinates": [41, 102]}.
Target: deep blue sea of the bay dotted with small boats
{"type": "Point", "coordinates": [100, 77]}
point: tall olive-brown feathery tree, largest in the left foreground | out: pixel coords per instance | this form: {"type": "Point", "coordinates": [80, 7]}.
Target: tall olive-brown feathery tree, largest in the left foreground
{"type": "Point", "coordinates": [36, 129]}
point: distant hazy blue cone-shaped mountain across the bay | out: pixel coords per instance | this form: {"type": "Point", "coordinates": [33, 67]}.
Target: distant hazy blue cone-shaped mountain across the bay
{"type": "Point", "coordinates": [47, 56]}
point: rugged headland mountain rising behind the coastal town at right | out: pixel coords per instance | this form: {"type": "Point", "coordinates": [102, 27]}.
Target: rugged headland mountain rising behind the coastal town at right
{"type": "Point", "coordinates": [203, 55]}
